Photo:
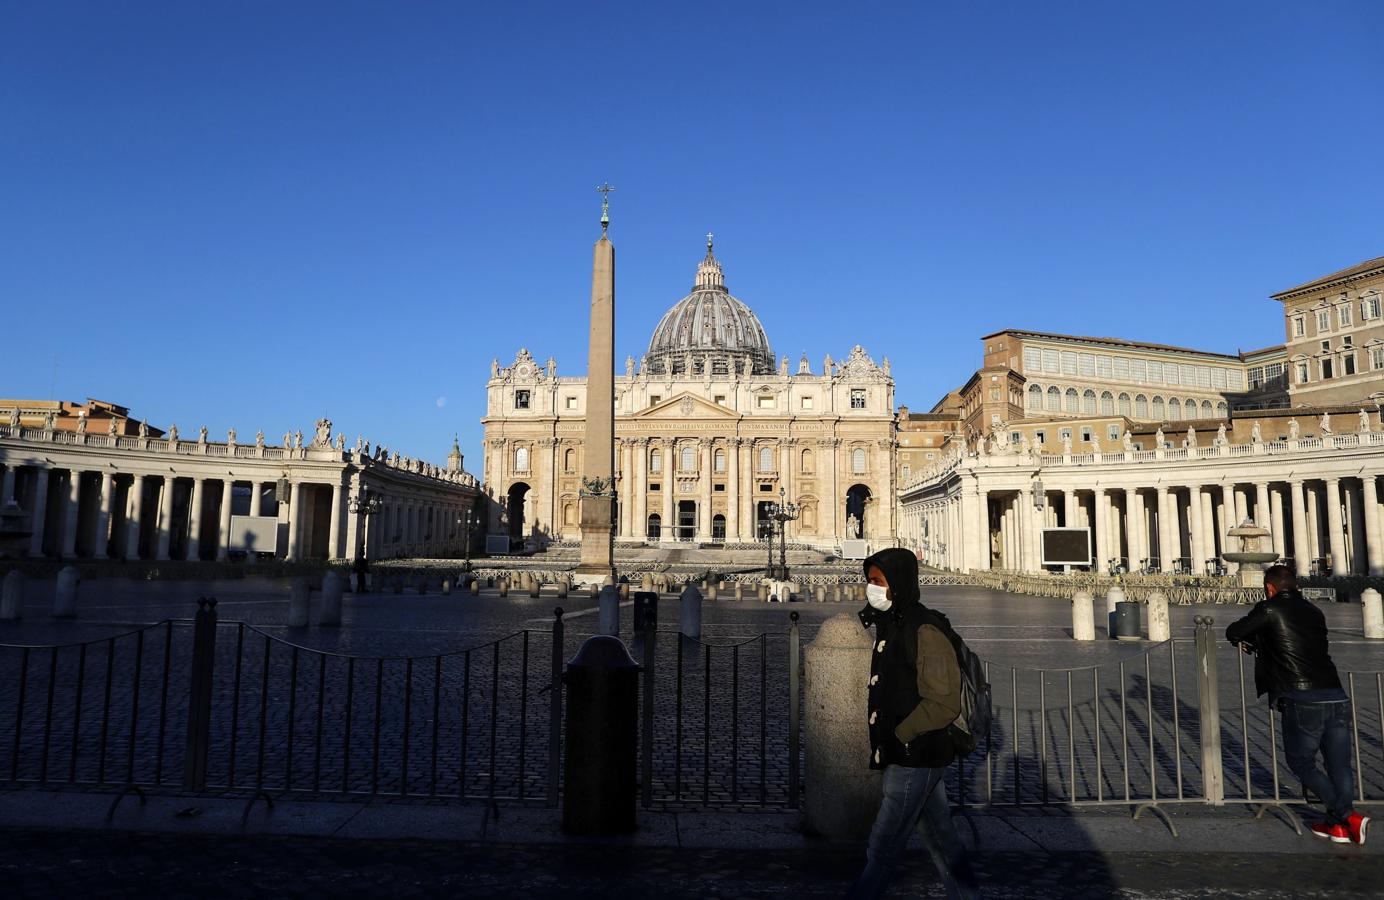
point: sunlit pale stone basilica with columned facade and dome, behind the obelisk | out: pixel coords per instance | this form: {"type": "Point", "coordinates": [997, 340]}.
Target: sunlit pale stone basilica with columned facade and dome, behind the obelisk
{"type": "Point", "coordinates": [711, 434]}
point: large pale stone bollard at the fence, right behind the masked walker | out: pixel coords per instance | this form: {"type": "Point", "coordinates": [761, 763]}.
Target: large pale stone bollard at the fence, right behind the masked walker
{"type": "Point", "coordinates": [846, 793]}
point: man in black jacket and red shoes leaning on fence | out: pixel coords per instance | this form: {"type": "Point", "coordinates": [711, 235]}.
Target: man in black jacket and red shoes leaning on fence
{"type": "Point", "coordinates": [1288, 636]}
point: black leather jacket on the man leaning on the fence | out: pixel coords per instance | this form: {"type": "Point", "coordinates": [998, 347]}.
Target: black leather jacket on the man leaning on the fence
{"type": "Point", "coordinates": [1289, 639]}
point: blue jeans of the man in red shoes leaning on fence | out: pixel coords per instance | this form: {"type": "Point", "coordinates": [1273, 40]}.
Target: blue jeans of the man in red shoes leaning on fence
{"type": "Point", "coordinates": [1321, 728]}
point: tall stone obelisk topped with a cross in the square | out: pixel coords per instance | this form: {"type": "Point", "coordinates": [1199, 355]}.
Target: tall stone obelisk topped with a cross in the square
{"type": "Point", "coordinates": [599, 451]}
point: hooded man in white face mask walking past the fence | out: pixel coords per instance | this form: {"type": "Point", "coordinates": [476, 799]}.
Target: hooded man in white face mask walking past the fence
{"type": "Point", "coordinates": [914, 697]}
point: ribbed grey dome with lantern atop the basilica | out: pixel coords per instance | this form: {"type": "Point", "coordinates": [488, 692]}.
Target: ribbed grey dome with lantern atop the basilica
{"type": "Point", "coordinates": [709, 327]}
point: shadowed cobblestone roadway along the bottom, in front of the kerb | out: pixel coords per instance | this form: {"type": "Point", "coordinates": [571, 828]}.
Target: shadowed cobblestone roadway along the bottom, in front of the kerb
{"type": "Point", "coordinates": [103, 865]}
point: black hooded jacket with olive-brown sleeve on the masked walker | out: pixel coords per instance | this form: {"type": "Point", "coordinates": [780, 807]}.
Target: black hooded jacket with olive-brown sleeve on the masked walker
{"type": "Point", "coordinates": [916, 678]}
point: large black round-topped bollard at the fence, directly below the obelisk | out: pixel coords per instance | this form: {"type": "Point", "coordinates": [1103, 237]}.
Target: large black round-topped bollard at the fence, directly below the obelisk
{"type": "Point", "coordinates": [603, 718]}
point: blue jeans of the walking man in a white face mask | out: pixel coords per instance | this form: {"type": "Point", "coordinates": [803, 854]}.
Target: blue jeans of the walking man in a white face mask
{"type": "Point", "coordinates": [916, 798]}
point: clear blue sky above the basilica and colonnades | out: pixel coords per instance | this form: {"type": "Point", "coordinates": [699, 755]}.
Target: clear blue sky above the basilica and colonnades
{"type": "Point", "coordinates": [253, 214]}
